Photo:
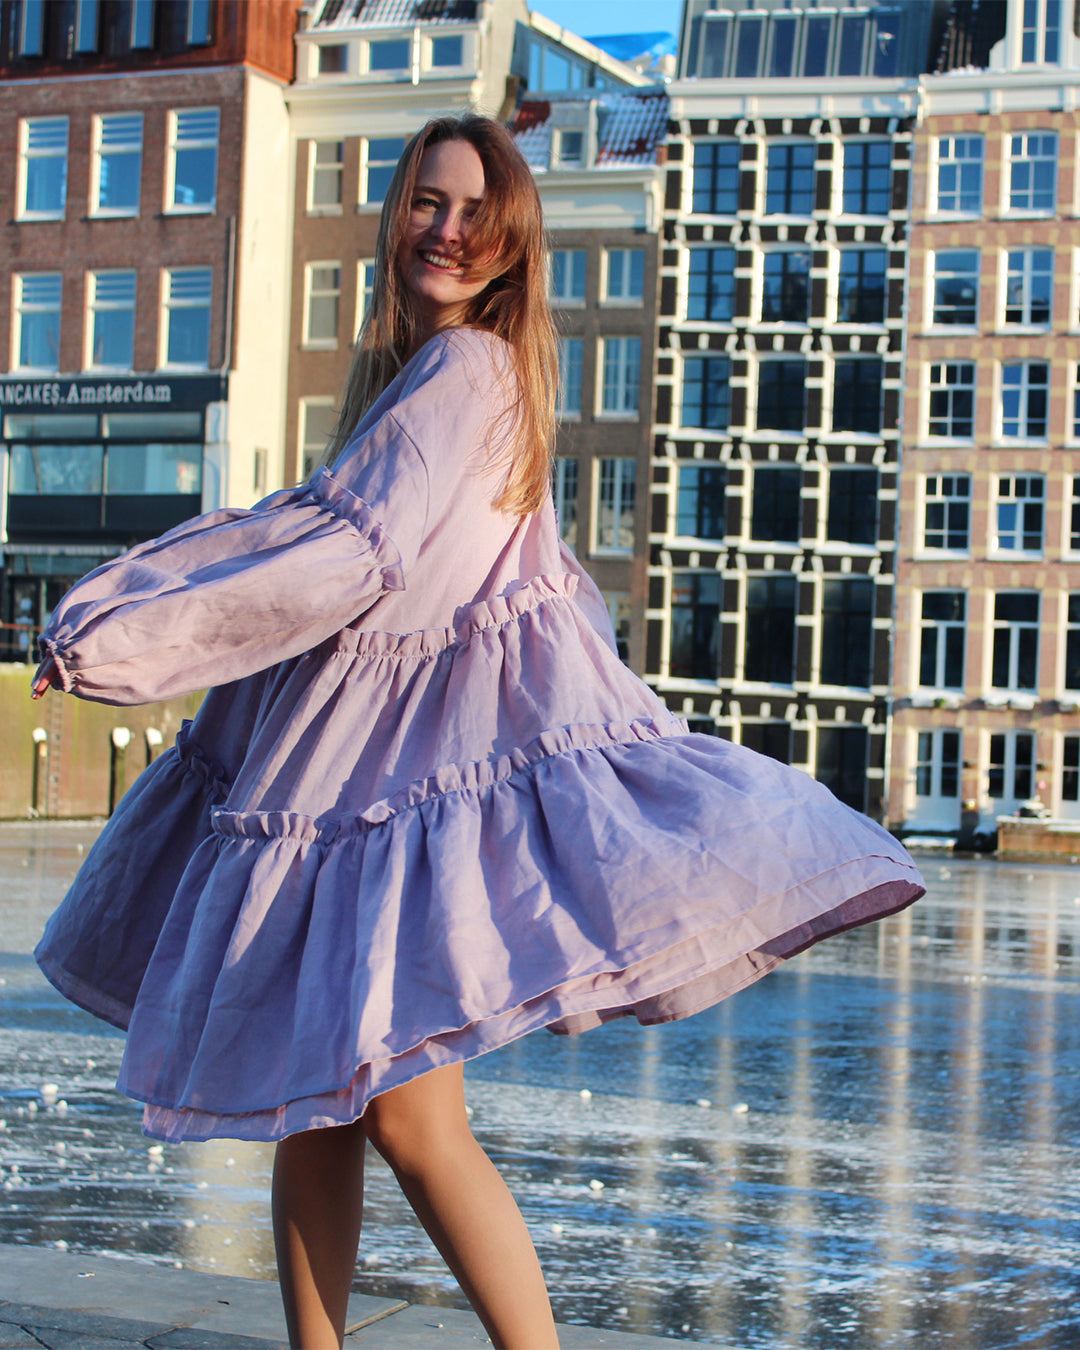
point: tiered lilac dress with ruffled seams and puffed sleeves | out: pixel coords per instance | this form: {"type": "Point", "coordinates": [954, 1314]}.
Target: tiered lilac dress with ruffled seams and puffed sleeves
{"type": "Point", "coordinates": [425, 808]}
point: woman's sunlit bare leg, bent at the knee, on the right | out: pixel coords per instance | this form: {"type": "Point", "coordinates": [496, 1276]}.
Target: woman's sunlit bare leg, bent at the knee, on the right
{"type": "Point", "coordinates": [422, 1129]}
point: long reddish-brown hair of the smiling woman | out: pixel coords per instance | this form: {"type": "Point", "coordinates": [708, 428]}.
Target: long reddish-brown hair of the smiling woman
{"type": "Point", "coordinates": [506, 242]}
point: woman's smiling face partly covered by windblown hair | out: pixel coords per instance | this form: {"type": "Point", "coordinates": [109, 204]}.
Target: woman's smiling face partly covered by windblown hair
{"type": "Point", "coordinates": [433, 254]}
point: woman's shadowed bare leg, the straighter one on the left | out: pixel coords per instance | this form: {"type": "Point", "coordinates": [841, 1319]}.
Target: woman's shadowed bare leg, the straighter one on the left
{"type": "Point", "coordinates": [318, 1209]}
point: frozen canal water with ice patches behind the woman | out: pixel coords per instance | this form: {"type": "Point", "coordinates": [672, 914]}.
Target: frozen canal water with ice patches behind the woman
{"type": "Point", "coordinates": [875, 1148]}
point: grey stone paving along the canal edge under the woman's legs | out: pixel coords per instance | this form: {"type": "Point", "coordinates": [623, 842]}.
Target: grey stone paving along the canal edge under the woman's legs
{"type": "Point", "coordinates": [68, 1302]}
